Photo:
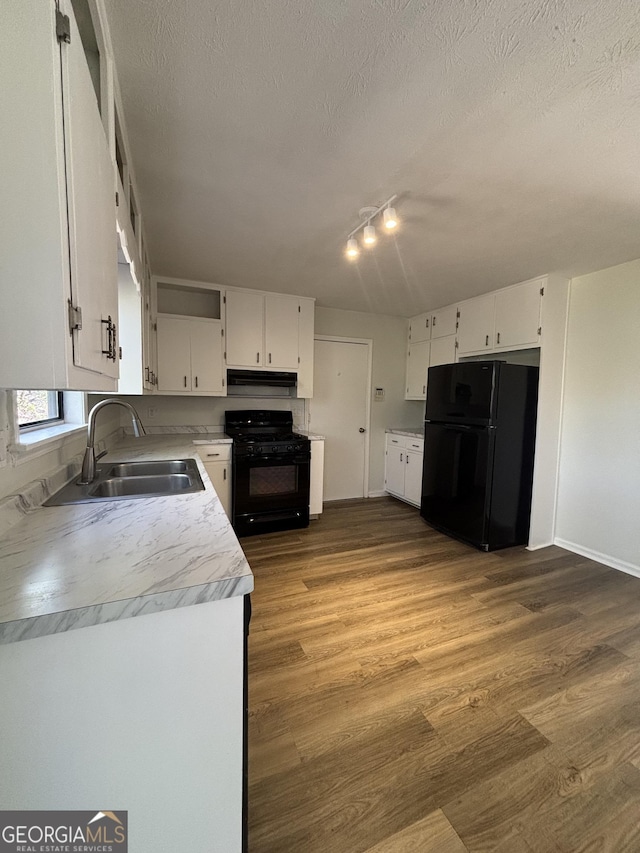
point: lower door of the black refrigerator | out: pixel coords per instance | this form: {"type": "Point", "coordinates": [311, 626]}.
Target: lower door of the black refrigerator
{"type": "Point", "coordinates": [456, 480]}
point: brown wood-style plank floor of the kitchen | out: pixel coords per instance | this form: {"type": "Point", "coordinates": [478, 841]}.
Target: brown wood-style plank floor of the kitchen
{"type": "Point", "coordinates": [409, 693]}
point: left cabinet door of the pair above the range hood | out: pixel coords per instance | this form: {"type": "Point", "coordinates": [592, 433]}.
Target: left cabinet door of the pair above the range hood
{"type": "Point", "coordinates": [245, 316]}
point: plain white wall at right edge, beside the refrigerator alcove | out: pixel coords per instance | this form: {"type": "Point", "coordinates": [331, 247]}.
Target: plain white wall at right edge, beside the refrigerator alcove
{"type": "Point", "coordinates": [598, 508]}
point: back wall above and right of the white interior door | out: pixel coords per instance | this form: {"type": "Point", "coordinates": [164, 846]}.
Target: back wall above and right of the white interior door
{"type": "Point", "coordinates": [389, 336]}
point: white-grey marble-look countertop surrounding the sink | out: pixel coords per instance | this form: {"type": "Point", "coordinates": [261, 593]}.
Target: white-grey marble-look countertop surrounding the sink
{"type": "Point", "coordinates": [73, 566]}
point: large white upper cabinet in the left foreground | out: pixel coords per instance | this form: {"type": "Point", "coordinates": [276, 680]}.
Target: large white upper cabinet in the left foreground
{"type": "Point", "coordinates": [58, 239]}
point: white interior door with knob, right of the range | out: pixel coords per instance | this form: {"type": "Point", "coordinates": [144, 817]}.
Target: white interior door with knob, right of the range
{"type": "Point", "coordinates": [340, 411]}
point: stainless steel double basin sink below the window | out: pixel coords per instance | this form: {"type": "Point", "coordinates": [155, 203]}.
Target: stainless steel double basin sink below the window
{"type": "Point", "coordinates": [126, 480]}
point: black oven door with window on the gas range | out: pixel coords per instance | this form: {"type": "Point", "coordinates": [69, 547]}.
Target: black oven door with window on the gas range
{"type": "Point", "coordinates": [270, 492]}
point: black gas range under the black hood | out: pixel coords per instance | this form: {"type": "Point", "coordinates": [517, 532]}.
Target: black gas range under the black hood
{"type": "Point", "coordinates": [270, 472]}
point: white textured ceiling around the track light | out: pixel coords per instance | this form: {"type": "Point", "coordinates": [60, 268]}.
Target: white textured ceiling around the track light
{"type": "Point", "coordinates": [259, 128]}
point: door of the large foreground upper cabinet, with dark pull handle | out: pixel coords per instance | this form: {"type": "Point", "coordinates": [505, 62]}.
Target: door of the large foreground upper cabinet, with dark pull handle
{"type": "Point", "coordinates": [91, 194]}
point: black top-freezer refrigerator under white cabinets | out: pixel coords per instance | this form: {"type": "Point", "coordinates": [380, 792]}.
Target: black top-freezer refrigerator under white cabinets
{"type": "Point", "coordinates": [479, 439]}
